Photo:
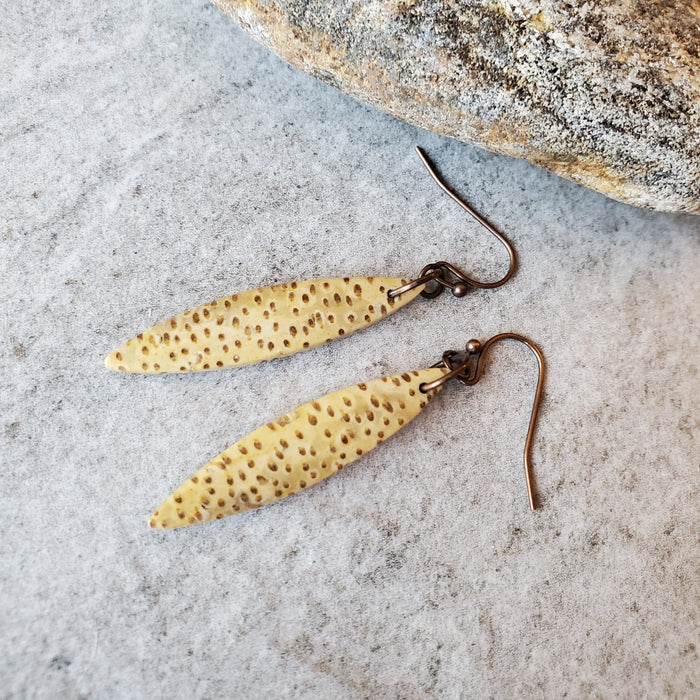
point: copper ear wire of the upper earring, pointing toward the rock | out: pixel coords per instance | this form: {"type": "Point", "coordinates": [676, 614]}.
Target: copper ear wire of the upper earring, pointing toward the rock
{"type": "Point", "coordinates": [446, 275]}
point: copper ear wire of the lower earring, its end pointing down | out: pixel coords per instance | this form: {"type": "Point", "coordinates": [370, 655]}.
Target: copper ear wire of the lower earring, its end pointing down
{"type": "Point", "coordinates": [469, 372]}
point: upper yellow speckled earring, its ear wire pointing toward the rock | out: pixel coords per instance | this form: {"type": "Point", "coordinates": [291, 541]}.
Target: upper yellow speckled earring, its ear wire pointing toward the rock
{"type": "Point", "coordinates": [270, 322]}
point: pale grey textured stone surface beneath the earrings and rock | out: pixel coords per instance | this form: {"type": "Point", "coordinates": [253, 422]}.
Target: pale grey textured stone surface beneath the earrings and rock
{"type": "Point", "coordinates": [154, 157]}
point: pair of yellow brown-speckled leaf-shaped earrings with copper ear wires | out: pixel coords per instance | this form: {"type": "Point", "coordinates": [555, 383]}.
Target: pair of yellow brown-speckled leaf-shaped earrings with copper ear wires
{"type": "Point", "coordinates": [317, 439]}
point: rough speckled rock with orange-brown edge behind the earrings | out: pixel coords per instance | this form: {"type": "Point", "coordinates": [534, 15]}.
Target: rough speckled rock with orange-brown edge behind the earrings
{"type": "Point", "coordinates": [607, 95]}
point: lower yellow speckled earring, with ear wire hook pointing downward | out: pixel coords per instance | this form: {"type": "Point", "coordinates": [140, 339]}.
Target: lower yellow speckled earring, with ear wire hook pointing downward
{"type": "Point", "coordinates": [319, 438]}
